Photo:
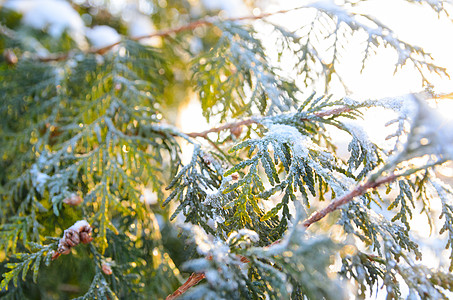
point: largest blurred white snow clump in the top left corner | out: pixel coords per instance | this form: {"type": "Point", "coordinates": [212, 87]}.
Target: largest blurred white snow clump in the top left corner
{"type": "Point", "coordinates": [52, 15]}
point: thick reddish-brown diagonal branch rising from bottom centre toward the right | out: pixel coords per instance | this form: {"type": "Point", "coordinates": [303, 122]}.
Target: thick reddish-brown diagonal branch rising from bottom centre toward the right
{"type": "Point", "coordinates": [334, 205]}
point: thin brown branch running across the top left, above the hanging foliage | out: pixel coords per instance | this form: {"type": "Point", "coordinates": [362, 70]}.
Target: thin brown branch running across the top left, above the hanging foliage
{"type": "Point", "coordinates": [210, 21]}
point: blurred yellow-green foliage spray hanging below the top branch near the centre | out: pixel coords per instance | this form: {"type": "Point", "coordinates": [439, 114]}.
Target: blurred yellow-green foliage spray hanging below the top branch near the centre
{"type": "Point", "coordinates": [236, 67]}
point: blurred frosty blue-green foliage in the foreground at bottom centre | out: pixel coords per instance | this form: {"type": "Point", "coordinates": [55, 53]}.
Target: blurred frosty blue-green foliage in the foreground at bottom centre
{"type": "Point", "coordinates": [290, 265]}
